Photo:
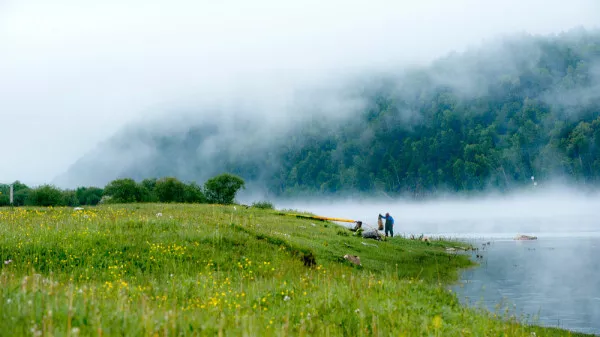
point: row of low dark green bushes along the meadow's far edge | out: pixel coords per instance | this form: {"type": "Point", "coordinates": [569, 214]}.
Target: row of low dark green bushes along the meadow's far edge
{"type": "Point", "coordinates": [220, 189]}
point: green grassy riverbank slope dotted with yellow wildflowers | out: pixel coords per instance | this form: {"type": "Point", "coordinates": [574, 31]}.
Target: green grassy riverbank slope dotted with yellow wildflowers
{"type": "Point", "coordinates": [205, 270]}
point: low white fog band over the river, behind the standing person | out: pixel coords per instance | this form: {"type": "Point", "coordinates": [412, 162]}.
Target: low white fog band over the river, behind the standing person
{"type": "Point", "coordinates": [544, 211]}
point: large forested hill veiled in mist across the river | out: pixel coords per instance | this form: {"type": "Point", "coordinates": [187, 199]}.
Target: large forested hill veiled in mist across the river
{"type": "Point", "coordinates": [488, 118]}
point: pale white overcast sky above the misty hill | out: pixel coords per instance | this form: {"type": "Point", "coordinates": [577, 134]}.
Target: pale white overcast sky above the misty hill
{"type": "Point", "coordinates": [73, 72]}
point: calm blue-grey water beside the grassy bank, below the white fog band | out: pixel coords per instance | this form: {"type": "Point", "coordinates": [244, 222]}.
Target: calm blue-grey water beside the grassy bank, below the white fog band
{"type": "Point", "coordinates": [554, 281]}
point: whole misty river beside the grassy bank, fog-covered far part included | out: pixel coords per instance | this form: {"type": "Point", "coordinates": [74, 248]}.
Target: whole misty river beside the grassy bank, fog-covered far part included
{"type": "Point", "coordinates": [553, 281]}
